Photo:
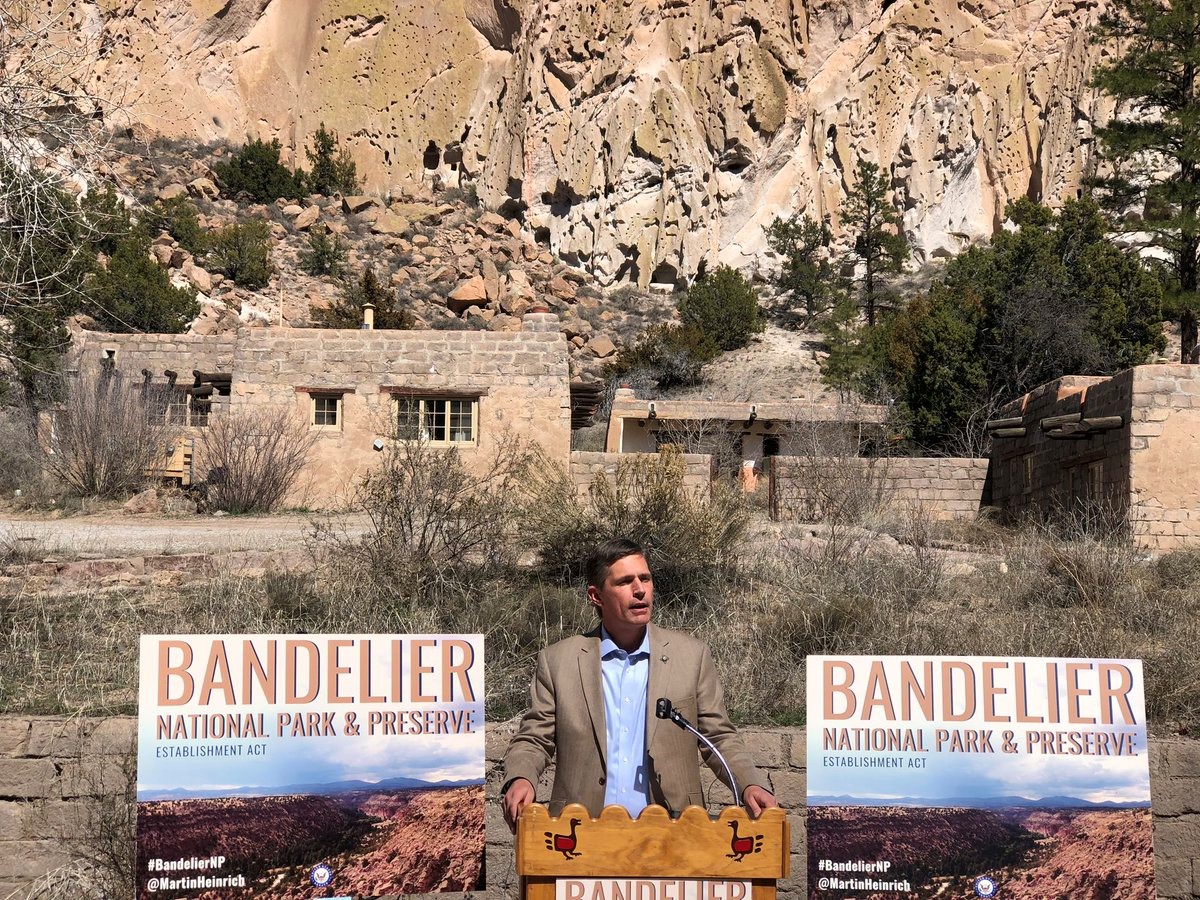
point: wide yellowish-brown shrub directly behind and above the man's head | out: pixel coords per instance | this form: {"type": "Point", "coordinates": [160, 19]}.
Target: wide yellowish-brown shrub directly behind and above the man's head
{"type": "Point", "coordinates": [691, 536]}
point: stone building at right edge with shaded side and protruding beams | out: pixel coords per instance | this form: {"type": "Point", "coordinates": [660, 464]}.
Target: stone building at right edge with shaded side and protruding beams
{"type": "Point", "coordinates": [1106, 448]}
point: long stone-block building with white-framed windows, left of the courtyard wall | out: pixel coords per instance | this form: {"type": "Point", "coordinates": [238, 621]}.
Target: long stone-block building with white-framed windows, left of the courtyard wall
{"type": "Point", "coordinates": [358, 389]}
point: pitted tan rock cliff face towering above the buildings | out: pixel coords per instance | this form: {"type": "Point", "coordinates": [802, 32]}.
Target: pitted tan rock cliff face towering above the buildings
{"type": "Point", "coordinates": [645, 137]}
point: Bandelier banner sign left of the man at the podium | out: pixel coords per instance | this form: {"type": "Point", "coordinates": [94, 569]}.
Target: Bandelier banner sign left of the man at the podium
{"type": "Point", "coordinates": [304, 766]}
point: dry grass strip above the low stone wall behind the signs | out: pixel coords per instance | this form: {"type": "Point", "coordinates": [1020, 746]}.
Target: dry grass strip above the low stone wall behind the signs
{"type": "Point", "coordinates": [1031, 596]}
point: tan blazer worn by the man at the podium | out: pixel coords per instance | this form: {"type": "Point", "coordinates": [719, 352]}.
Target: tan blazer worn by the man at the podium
{"type": "Point", "coordinates": [567, 721]}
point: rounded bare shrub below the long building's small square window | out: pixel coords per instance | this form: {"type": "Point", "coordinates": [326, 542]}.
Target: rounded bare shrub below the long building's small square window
{"type": "Point", "coordinates": [253, 460]}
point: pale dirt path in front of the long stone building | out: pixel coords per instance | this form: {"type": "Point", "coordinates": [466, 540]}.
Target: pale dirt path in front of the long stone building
{"type": "Point", "coordinates": [112, 536]}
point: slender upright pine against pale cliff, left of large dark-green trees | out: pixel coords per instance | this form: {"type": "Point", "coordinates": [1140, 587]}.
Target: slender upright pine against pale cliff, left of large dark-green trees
{"type": "Point", "coordinates": [880, 245]}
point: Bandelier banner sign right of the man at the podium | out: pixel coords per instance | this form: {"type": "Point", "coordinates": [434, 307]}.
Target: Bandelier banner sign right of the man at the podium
{"type": "Point", "coordinates": [976, 777]}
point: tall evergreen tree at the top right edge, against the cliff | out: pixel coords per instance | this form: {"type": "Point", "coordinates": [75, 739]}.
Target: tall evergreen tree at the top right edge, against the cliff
{"type": "Point", "coordinates": [1154, 80]}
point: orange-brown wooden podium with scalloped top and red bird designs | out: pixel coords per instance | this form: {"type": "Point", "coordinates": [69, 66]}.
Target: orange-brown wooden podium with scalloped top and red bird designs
{"type": "Point", "coordinates": [650, 857]}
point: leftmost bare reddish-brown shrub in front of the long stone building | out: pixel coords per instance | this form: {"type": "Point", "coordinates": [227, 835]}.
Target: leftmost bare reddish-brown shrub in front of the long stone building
{"type": "Point", "coordinates": [106, 435]}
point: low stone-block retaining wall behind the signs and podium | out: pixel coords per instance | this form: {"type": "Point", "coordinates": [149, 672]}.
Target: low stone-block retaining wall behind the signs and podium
{"type": "Point", "coordinates": [59, 779]}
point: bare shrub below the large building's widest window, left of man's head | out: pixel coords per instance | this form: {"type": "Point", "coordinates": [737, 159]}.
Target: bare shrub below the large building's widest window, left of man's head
{"type": "Point", "coordinates": [433, 520]}
